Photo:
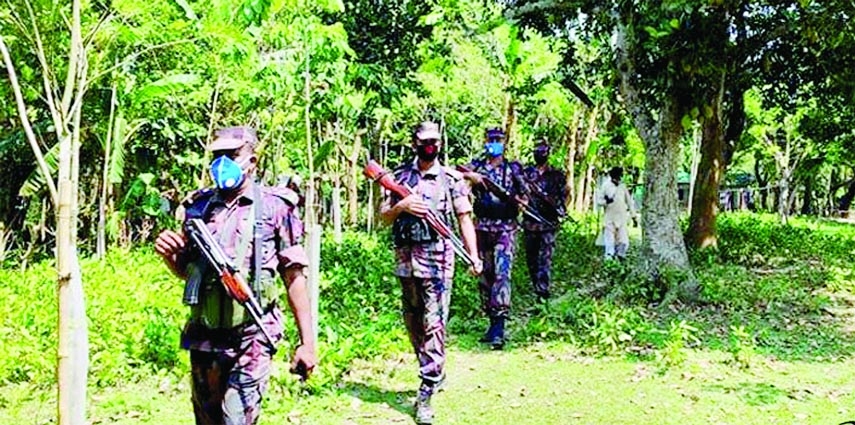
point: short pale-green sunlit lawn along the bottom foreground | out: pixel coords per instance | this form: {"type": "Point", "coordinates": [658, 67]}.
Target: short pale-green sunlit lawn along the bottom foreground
{"type": "Point", "coordinates": [532, 385]}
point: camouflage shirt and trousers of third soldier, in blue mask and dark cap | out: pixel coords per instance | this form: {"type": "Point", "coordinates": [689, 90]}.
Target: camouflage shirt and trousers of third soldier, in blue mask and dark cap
{"type": "Point", "coordinates": [497, 236]}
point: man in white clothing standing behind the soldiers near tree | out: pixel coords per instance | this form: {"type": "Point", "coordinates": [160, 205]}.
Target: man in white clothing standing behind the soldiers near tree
{"type": "Point", "coordinates": [619, 209]}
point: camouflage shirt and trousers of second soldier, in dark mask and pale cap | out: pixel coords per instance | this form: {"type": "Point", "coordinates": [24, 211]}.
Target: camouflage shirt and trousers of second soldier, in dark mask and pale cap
{"type": "Point", "coordinates": [426, 270]}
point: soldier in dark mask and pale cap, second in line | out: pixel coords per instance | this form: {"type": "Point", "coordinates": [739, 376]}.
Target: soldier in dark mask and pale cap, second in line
{"type": "Point", "coordinates": [425, 261]}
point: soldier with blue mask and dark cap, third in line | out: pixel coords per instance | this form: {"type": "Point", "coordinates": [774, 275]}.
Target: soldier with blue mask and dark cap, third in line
{"type": "Point", "coordinates": [496, 228]}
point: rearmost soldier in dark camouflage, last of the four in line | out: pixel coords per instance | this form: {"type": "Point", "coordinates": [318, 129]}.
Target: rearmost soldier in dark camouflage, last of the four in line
{"type": "Point", "coordinates": [548, 189]}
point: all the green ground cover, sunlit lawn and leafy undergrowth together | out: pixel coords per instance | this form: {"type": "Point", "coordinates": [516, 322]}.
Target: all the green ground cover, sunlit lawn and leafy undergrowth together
{"type": "Point", "coordinates": [771, 340]}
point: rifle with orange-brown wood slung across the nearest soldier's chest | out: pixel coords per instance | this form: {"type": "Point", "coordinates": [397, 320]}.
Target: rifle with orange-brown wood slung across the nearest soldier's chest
{"type": "Point", "coordinates": [236, 286]}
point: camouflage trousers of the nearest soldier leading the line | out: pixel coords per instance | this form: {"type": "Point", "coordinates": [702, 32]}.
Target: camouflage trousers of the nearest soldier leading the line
{"type": "Point", "coordinates": [228, 386]}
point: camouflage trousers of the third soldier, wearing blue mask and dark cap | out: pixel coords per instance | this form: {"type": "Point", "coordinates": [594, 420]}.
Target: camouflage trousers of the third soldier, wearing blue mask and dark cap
{"type": "Point", "coordinates": [497, 251]}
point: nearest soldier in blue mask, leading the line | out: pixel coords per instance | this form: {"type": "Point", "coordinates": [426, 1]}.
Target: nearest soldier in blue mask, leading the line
{"type": "Point", "coordinates": [229, 356]}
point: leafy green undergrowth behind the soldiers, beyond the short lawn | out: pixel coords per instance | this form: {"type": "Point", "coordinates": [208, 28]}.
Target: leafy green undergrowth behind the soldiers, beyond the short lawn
{"type": "Point", "coordinates": [778, 293]}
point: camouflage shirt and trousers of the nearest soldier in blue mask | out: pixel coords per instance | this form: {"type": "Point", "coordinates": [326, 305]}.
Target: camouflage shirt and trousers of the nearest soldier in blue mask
{"type": "Point", "coordinates": [230, 358]}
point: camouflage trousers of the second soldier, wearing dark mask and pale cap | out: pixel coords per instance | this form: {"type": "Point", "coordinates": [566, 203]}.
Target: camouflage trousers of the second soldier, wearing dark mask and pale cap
{"type": "Point", "coordinates": [425, 303]}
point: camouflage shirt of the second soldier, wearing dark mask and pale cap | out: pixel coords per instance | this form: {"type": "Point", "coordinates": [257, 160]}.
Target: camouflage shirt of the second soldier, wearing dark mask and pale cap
{"type": "Point", "coordinates": [445, 191]}
